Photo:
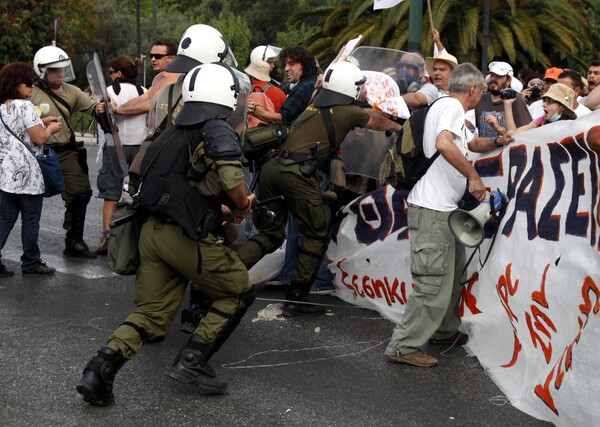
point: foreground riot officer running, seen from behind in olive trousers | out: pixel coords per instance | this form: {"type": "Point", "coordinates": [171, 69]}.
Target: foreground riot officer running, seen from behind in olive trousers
{"type": "Point", "coordinates": [170, 256]}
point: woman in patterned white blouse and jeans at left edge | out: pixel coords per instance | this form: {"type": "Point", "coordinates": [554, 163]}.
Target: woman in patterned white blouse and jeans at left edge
{"type": "Point", "coordinates": [21, 179]}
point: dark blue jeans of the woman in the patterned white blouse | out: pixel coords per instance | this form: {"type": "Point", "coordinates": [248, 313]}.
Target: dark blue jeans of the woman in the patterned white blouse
{"type": "Point", "coordinates": [30, 207]}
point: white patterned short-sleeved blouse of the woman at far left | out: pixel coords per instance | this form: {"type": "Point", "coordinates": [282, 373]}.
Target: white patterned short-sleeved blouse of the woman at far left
{"type": "Point", "coordinates": [20, 172]}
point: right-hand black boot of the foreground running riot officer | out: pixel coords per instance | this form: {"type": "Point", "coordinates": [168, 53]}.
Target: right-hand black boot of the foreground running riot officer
{"type": "Point", "coordinates": [191, 367]}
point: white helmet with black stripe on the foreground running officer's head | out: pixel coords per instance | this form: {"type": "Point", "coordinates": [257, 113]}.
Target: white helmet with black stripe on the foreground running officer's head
{"type": "Point", "coordinates": [209, 92]}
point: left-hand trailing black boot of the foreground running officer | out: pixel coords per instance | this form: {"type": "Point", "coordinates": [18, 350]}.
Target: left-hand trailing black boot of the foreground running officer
{"type": "Point", "coordinates": [97, 381]}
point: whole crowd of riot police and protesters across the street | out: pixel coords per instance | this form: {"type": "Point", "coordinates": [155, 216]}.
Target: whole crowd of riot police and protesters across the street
{"type": "Point", "coordinates": [187, 176]}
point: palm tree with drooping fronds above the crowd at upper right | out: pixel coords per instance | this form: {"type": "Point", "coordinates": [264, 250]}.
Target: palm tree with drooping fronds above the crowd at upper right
{"type": "Point", "coordinates": [534, 33]}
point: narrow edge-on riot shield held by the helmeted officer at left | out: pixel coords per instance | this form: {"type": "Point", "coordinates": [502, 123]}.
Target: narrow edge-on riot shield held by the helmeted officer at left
{"type": "Point", "coordinates": [99, 92]}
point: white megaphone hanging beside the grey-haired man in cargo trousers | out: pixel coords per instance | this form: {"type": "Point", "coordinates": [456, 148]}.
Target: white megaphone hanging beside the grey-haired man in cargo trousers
{"type": "Point", "coordinates": [467, 226]}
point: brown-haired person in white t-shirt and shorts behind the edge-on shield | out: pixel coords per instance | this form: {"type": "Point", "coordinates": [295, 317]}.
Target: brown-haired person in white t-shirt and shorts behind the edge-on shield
{"type": "Point", "coordinates": [132, 131]}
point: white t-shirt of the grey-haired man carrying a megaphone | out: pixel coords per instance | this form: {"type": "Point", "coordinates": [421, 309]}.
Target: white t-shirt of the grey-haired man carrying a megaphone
{"type": "Point", "coordinates": [442, 187]}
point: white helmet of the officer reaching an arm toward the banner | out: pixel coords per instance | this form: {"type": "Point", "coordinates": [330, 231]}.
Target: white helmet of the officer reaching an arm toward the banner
{"type": "Point", "coordinates": [341, 85]}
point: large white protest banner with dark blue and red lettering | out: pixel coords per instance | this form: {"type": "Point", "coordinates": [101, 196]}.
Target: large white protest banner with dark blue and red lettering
{"type": "Point", "coordinates": [533, 313]}
